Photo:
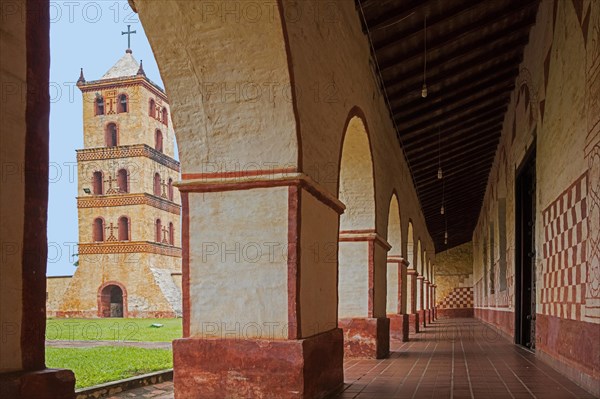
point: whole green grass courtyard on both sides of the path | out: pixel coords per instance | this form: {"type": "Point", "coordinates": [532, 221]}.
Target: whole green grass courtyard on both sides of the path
{"type": "Point", "coordinates": [96, 365]}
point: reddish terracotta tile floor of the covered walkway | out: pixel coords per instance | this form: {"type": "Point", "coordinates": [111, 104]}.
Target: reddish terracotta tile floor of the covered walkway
{"type": "Point", "coordinates": [458, 358]}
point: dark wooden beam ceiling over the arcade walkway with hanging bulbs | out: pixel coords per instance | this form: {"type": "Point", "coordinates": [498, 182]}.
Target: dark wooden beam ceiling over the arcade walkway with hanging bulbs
{"type": "Point", "coordinates": [474, 48]}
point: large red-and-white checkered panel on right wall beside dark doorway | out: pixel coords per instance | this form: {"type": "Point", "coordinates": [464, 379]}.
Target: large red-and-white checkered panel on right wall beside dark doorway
{"type": "Point", "coordinates": [564, 265]}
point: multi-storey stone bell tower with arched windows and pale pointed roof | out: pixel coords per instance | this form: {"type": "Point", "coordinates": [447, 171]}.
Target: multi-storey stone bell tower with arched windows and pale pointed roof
{"type": "Point", "coordinates": [128, 209]}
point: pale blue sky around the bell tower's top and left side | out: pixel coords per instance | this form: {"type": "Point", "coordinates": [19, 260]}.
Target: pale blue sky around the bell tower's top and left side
{"type": "Point", "coordinates": [86, 35]}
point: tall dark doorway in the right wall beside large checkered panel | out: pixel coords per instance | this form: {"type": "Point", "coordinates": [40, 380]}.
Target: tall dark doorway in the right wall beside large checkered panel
{"type": "Point", "coordinates": [525, 284]}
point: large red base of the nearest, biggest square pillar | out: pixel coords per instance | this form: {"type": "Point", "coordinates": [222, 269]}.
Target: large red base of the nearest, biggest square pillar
{"type": "Point", "coordinates": [241, 368]}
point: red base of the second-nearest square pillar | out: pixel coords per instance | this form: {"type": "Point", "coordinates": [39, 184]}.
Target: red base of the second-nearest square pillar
{"type": "Point", "coordinates": [366, 337]}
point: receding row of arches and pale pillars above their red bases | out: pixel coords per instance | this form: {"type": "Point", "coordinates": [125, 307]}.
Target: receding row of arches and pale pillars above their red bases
{"type": "Point", "coordinates": [357, 190]}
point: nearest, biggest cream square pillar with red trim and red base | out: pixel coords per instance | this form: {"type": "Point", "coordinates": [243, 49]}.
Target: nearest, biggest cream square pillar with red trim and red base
{"type": "Point", "coordinates": [259, 291]}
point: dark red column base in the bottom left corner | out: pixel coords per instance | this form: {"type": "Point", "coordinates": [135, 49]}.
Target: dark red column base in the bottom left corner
{"type": "Point", "coordinates": [41, 384]}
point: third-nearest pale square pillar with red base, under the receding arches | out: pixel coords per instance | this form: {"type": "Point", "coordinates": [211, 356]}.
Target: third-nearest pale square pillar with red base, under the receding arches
{"type": "Point", "coordinates": [396, 309]}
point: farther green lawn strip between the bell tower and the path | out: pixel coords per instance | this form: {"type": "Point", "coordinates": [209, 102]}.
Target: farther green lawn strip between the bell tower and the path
{"type": "Point", "coordinates": [113, 329]}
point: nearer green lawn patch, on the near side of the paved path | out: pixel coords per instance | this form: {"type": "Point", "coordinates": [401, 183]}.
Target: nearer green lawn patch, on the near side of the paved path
{"type": "Point", "coordinates": [94, 366]}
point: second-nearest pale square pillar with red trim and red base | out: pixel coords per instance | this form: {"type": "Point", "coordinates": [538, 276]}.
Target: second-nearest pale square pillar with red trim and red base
{"type": "Point", "coordinates": [362, 294]}
